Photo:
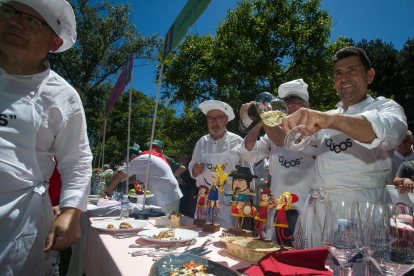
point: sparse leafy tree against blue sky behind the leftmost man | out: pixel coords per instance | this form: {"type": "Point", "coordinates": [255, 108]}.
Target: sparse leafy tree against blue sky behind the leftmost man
{"type": "Point", "coordinates": [105, 39]}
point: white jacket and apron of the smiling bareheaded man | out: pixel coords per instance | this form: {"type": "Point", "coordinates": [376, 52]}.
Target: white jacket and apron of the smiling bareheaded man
{"type": "Point", "coordinates": [350, 170]}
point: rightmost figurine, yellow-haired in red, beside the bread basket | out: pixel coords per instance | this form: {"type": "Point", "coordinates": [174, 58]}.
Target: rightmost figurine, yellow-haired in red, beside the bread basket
{"type": "Point", "coordinates": [284, 204]}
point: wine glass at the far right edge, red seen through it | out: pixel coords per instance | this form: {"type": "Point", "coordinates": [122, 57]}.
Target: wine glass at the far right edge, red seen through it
{"type": "Point", "coordinates": [391, 238]}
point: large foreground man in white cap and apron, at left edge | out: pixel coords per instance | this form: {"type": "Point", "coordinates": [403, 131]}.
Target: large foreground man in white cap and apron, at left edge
{"type": "Point", "coordinates": [41, 117]}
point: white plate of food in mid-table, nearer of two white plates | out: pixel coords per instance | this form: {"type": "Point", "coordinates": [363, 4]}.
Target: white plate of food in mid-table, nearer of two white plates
{"type": "Point", "coordinates": [166, 235]}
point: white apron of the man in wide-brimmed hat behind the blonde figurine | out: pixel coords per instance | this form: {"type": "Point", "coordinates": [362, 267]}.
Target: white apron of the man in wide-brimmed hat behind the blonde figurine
{"type": "Point", "coordinates": [223, 217]}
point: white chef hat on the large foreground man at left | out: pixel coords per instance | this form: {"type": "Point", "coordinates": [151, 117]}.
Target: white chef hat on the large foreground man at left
{"type": "Point", "coordinates": [59, 16]}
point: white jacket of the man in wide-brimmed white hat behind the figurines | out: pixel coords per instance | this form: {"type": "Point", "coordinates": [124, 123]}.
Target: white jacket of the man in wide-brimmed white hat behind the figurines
{"type": "Point", "coordinates": [206, 143]}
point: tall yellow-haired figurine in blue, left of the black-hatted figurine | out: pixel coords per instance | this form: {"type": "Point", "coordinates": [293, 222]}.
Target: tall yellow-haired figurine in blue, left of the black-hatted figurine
{"type": "Point", "coordinates": [218, 179]}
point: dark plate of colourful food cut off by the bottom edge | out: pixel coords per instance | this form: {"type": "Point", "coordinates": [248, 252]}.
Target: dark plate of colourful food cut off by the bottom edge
{"type": "Point", "coordinates": [186, 264]}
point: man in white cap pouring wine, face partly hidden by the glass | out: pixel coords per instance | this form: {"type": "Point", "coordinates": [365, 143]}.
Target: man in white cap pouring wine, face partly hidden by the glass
{"type": "Point", "coordinates": [291, 171]}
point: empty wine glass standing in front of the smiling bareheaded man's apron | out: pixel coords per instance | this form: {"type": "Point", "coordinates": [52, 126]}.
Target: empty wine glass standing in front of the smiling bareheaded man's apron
{"type": "Point", "coordinates": [342, 231]}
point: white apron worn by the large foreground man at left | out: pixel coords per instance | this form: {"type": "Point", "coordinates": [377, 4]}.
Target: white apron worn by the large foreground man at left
{"type": "Point", "coordinates": [25, 214]}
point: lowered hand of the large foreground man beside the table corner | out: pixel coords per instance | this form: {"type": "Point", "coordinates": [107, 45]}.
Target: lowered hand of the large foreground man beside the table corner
{"type": "Point", "coordinates": [65, 231]}
